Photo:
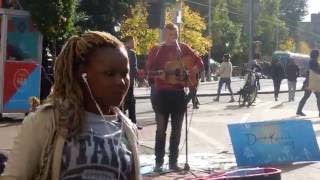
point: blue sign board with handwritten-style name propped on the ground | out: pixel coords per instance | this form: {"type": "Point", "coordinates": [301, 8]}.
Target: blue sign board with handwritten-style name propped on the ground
{"type": "Point", "coordinates": [274, 142]}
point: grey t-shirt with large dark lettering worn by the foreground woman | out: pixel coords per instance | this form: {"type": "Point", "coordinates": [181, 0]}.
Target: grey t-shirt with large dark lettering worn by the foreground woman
{"type": "Point", "coordinates": [97, 153]}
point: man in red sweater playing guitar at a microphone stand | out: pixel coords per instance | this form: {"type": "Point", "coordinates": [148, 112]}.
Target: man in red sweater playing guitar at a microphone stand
{"type": "Point", "coordinates": [168, 96]}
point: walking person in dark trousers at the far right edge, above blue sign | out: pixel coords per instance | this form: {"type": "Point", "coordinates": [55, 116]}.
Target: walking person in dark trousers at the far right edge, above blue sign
{"type": "Point", "coordinates": [315, 67]}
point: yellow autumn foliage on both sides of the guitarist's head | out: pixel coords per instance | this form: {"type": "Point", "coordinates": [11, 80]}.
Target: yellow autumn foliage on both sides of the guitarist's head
{"type": "Point", "coordinates": [191, 32]}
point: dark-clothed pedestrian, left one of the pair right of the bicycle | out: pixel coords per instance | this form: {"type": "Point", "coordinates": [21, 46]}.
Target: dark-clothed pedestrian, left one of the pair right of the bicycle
{"type": "Point", "coordinates": [277, 74]}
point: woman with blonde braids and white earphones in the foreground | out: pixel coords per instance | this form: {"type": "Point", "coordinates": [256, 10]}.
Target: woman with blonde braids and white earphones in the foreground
{"type": "Point", "coordinates": [80, 133]}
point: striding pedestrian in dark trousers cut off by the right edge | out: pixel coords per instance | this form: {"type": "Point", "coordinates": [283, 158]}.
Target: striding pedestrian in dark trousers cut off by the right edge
{"type": "Point", "coordinates": [311, 83]}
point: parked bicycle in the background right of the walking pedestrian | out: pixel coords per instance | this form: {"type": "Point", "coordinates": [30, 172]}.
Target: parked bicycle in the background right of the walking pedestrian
{"type": "Point", "coordinates": [248, 94]}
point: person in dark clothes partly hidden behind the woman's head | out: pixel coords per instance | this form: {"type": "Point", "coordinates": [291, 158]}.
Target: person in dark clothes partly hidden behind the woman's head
{"type": "Point", "coordinates": [130, 100]}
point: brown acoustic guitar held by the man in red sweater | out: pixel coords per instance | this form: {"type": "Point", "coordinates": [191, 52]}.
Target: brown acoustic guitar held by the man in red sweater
{"type": "Point", "coordinates": [178, 72]}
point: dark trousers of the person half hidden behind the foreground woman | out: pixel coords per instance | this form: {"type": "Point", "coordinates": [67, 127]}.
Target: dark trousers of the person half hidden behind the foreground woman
{"type": "Point", "coordinates": [130, 104]}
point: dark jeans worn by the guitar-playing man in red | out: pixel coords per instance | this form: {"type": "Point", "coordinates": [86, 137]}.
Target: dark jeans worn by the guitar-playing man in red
{"type": "Point", "coordinates": [168, 104]}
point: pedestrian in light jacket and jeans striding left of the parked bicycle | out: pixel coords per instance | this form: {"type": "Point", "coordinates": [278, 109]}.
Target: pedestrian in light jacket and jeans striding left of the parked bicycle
{"type": "Point", "coordinates": [225, 73]}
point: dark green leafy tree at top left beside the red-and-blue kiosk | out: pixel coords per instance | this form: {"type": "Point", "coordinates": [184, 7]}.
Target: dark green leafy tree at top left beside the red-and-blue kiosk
{"type": "Point", "coordinates": [54, 19]}
